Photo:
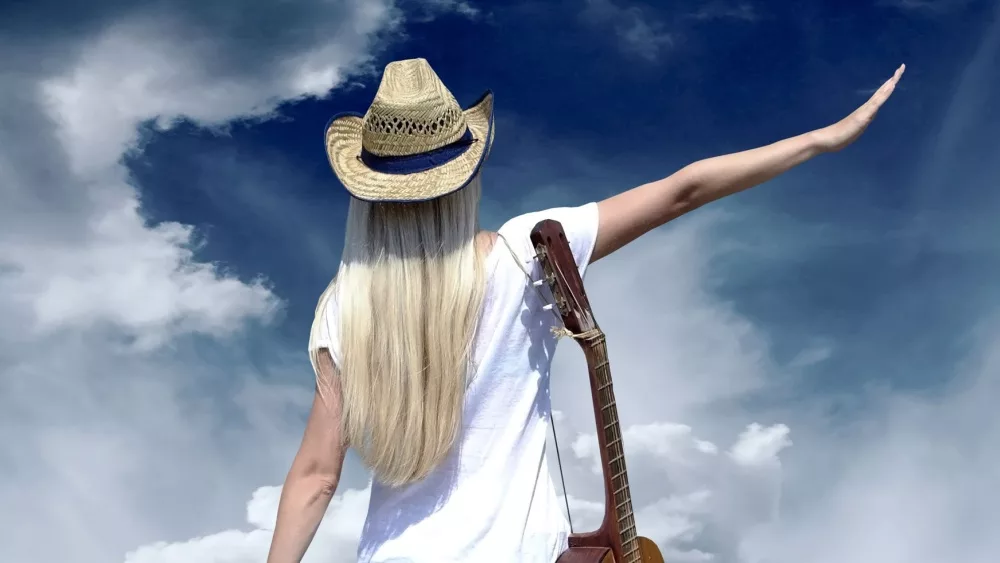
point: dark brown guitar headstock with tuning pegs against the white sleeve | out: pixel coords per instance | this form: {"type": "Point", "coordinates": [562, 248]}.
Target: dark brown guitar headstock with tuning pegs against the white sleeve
{"type": "Point", "coordinates": [562, 276]}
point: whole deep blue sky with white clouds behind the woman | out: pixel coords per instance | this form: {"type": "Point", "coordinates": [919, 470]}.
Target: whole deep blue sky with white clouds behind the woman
{"type": "Point", "coordinates": [805, 362]}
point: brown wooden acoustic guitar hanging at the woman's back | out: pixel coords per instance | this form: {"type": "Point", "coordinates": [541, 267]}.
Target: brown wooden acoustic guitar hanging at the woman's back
{"type": "Point", "coordinates": [615, 541]}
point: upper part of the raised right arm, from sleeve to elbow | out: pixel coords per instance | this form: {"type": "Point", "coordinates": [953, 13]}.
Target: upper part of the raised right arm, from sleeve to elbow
{"type": "Point", "coordinates": [627, 216]}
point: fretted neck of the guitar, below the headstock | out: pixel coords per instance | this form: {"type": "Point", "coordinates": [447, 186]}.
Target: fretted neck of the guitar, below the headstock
{"type": "Point", "coordinates": [618, 497]}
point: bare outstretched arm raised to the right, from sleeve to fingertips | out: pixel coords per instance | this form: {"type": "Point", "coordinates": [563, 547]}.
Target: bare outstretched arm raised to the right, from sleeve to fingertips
{"type": "Point", "coordinates": [628, 215]}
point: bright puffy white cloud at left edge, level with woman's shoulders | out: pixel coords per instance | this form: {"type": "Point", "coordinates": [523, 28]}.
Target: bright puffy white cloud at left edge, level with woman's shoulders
{"type": "Point", "coordinates": [128, 274]}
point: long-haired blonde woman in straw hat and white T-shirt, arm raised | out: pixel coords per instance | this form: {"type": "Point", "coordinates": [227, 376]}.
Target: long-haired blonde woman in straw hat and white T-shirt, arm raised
{"type": "Point", "coordinates": [430, 349]}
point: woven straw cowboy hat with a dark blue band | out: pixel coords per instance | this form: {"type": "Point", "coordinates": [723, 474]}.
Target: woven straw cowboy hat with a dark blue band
{"type": "Point", "coordinates": [414, 143]}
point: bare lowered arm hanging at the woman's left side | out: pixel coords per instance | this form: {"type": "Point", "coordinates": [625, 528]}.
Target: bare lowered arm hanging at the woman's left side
{"type": "Point", "coordinates": [315, 472]}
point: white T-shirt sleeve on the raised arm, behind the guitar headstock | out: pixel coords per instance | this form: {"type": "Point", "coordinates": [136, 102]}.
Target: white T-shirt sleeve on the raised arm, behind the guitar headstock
{"type": "Point", "coordinates": [579, 223]}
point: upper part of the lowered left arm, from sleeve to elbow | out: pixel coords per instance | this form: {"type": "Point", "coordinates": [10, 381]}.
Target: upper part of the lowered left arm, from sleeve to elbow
{"type": "Point", "coordinates": [322, 451]}
